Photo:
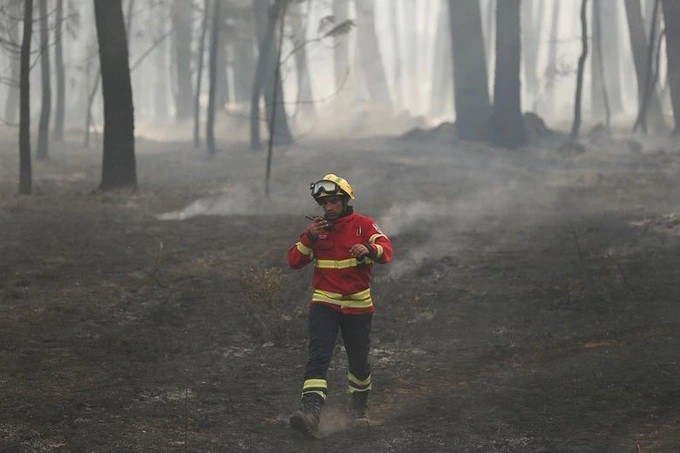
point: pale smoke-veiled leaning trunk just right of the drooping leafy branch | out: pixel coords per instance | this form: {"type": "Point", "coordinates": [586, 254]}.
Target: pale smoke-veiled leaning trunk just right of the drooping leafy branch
{"type": "Point", "coordinates": [369, 54]}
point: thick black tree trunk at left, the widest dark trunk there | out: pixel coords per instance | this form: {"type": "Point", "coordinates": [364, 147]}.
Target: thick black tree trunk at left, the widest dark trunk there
{"type": "Point", "coordinates": [119, 165]}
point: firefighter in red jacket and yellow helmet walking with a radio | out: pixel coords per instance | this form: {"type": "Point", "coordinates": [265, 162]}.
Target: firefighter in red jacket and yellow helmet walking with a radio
{"type": "Point", "coordinates": [342, 245]}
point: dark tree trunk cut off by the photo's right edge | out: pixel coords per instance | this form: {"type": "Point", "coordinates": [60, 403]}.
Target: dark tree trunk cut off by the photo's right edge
{"type": "Point", "coordinates": [671, 12]}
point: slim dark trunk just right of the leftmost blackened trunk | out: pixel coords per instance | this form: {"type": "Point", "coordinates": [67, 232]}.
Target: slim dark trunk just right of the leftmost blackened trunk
{"type": "Point", "coordinates": [46, 93]}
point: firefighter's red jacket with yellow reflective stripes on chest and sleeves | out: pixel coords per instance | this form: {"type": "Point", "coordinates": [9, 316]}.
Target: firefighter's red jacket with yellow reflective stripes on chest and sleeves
{"type": "Point", "coordinates": [339, 280]}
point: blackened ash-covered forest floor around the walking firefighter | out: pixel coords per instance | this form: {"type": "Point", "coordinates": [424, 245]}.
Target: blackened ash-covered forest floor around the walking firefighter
{"type": "Point", "coordinates": [532, 304]}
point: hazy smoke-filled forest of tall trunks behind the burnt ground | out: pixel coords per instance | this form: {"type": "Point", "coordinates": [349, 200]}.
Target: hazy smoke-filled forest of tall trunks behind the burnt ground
{"type": "Point", "coordinates": [209, 70]}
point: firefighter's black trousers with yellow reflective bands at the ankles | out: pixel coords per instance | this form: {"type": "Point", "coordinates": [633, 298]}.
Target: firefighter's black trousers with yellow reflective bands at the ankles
{"type": "Point", "coordinates": [323, 326]}
